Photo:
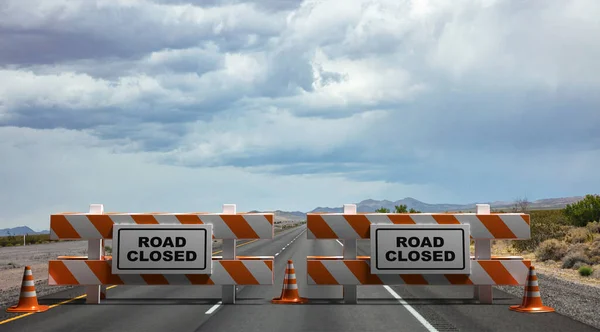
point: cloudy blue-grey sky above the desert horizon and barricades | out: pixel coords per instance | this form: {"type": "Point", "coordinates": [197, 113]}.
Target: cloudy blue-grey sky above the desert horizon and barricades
{"type": "Point", "coordinates": [174, 106]}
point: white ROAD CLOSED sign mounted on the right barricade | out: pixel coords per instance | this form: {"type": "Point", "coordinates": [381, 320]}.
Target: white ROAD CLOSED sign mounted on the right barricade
{"type": "Point", "coordinates": [420, 249]}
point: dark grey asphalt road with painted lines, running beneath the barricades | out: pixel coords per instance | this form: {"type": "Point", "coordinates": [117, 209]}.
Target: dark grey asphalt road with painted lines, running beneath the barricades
{"type": "Point", "coordinates": [196, 308]}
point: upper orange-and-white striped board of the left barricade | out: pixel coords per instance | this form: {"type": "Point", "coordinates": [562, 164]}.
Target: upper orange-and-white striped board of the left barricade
{"type": "Point", "coordinates": [76, 226]}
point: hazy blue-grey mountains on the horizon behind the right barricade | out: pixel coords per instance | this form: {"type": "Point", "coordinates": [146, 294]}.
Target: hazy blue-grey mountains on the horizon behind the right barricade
{"type": "Point", "coordinates": [370, 205]}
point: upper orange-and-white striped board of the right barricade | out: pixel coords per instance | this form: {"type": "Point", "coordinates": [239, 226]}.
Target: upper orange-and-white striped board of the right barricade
{"type": "Point", "coordinates": [357, 226]}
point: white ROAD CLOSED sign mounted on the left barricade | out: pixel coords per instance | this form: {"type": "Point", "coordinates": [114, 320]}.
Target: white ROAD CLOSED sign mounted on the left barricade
{"type": "Point", "coordinates": [162, 249]}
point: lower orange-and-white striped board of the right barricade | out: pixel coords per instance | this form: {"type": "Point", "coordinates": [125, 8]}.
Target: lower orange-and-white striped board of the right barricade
{"type": "Point", "coordinates": [334, 271]}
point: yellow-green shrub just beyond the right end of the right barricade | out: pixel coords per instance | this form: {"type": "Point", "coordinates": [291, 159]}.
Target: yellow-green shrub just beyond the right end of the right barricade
{"type": "Point", "coordinates": [544, 225]}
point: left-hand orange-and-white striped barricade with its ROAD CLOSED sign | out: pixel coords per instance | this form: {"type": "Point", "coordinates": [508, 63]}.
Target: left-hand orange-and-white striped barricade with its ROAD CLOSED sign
{"type": "Point", "coordinates": [150, 249]}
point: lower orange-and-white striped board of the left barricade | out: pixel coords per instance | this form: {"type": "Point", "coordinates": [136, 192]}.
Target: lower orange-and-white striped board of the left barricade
{"type": "Point", "coordinates": [254, 271]}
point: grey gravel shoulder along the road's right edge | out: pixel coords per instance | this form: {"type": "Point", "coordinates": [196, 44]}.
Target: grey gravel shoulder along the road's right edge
{"type": "Point", "coordinates": [576, 300]}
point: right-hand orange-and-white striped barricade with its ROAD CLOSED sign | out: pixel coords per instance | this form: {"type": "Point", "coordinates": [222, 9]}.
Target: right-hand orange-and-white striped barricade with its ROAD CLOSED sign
{"type": "Point", "coordinates": [407, 252]}
